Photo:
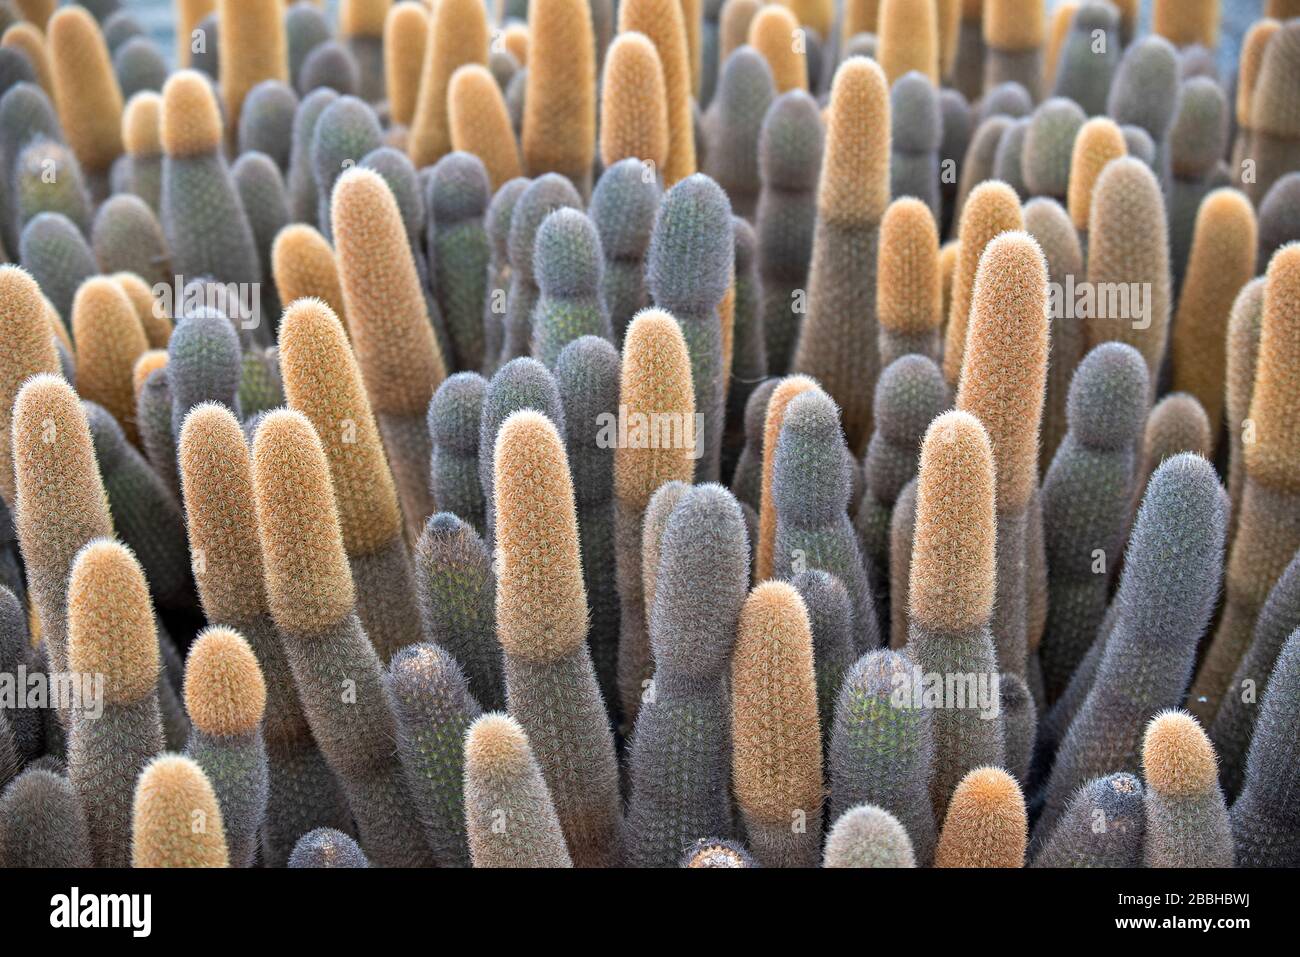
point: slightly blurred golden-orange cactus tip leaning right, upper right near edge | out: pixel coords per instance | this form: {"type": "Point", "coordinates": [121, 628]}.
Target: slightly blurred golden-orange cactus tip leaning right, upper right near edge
{"type": "Point", "coordinates": [1221, 262]}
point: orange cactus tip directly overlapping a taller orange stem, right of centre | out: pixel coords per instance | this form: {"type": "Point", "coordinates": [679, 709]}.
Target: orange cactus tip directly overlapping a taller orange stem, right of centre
{"type": "Point", "coordinates": [954, 569]}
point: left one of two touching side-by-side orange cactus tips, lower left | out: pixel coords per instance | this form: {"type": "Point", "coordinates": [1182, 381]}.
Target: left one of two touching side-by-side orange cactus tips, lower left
{"type": "Point", "coordinates": [216, 480]}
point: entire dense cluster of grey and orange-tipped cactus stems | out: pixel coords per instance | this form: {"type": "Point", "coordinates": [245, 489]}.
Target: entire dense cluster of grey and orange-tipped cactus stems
{"type": "Point", "coordinates": [530, 436]}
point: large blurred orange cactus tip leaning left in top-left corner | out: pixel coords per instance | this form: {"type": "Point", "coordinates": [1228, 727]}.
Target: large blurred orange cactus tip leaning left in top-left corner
{"type": "Point", "coordinates": [86, 92]}
